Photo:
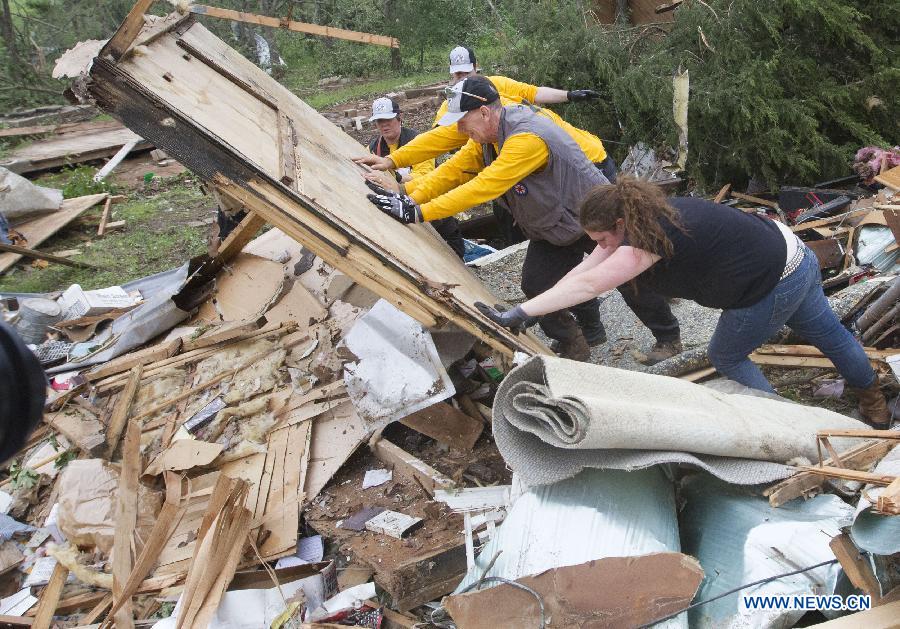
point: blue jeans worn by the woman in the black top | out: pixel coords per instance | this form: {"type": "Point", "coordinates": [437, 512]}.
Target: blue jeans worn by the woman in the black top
{"type": "Point", "coordinates": [799, 302]}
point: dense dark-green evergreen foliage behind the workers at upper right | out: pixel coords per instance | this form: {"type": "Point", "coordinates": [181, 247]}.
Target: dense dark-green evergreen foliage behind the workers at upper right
{"type": "Point", "coordinates": [782, 90]}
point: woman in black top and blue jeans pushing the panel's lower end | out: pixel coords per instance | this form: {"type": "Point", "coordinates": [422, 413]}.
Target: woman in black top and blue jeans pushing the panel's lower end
{"type": "Point", "coordinates": [756, 270]}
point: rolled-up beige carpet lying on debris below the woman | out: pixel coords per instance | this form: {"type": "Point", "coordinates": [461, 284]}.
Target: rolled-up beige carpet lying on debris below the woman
{"type": "Point", "coordinates": [555, 417]}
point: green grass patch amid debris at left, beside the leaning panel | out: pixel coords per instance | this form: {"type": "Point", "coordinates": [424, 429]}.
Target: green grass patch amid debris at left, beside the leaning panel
{"type": "Point", "coordinates": [160, 232]}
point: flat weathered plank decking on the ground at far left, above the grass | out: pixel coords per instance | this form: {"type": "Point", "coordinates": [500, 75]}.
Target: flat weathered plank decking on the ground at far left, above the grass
{"type": "Point", "coordinates": [70, 148]}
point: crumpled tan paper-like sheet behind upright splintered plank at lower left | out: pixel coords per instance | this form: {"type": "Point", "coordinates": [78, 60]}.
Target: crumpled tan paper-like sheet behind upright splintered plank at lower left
{"type": "Point", "coordinates": [87, 504]}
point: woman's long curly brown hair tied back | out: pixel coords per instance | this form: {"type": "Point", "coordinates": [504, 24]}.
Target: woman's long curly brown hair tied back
{"type": "Point", "coordinates": [640, 204]}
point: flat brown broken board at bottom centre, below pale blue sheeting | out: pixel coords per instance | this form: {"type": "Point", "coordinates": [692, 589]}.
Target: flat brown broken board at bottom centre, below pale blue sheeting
{"type": "Point", "coordinates": [608, 592]}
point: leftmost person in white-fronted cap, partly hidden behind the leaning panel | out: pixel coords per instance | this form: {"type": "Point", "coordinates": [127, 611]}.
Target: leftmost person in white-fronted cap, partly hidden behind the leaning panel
{"type": "Point", "coordinates": [392, 135]}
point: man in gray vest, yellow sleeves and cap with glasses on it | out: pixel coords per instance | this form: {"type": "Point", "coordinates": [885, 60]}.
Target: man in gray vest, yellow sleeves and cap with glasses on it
{"type": "Point", "coordinates": [539, 172]}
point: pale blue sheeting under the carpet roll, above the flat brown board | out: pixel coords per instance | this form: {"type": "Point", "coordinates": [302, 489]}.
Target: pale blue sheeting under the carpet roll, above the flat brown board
{"type": "Point", "coordinates": [599, 513]}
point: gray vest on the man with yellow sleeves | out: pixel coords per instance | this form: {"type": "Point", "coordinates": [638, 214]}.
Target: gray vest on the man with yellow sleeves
{"type": "Point", "coordinates": [545, 203]}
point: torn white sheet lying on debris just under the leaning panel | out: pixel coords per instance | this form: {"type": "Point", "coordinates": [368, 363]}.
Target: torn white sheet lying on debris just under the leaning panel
{"type": "Point", "coordinates": [397, 371]}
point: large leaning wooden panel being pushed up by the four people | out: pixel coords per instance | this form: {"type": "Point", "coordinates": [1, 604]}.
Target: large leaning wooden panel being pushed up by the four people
{"type": "Point", "coordinates": [229, 122]}
